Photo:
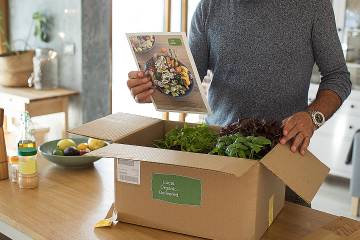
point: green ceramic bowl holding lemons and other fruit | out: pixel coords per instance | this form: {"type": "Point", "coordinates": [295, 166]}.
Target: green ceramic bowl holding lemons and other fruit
{"type": "Point", "coordinates": [47, 148]}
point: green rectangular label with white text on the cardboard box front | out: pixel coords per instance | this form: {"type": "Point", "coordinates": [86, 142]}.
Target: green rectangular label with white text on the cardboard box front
{"type": "Point", "coordinates": [176, 189]}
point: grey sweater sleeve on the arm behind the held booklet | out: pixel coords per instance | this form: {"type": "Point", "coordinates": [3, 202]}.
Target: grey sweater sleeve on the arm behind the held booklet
{"type": "Point", "coordinates": [198, 39]}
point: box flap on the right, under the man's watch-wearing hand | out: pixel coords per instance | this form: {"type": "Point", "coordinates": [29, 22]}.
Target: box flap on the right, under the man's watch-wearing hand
{"type": "Point", "coordinates": [303, 174]}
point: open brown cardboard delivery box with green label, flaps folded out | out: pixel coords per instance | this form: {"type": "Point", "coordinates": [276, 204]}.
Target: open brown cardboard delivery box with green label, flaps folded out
{"type": "Point", "coordinates": [203, 195]}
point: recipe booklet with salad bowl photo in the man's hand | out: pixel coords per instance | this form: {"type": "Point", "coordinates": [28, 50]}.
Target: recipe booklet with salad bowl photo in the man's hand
{"type": "Point", "coordinates": [167, 58]}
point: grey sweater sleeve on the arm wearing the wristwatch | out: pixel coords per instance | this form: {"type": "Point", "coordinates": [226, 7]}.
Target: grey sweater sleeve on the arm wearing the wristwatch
{"type": "Point", "coordinates": [328, 51]}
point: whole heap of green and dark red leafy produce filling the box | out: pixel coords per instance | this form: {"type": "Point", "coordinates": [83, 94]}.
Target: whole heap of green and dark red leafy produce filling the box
{"type": "Point", "coordinates": [246, 138]}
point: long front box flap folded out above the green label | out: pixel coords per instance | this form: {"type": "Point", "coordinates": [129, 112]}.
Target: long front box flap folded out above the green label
{"type": "Point", "coordinates": [234, 166]}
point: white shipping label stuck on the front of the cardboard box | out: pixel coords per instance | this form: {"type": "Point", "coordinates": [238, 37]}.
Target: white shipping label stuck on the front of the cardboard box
{"type": "Point", "coordinates": [128, 171]}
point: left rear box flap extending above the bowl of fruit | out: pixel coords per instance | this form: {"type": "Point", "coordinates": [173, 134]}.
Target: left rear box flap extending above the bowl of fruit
{"type": "Point", "coordinates": [114, 127]}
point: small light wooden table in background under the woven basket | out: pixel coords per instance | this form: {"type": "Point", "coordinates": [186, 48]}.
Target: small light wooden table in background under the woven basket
{"type": "Point", "coordinates": [36, 102]}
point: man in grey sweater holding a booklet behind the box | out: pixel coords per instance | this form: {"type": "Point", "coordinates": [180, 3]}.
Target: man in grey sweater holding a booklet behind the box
{"type": "Point", "coordinates": [262, 54]}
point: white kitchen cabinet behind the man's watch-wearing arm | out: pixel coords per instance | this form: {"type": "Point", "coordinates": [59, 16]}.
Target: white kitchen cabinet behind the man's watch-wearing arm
{"type": "Point", "coordinates": [331, 143]}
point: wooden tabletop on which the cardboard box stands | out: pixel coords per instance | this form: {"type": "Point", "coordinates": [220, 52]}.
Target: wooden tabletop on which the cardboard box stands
{"type": "Point", "coordinates": [68, 203]}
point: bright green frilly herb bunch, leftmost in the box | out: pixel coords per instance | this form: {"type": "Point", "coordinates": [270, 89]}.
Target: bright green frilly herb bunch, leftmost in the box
{"type": "Point", "coordinates": [199, 139]}
